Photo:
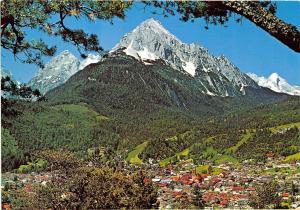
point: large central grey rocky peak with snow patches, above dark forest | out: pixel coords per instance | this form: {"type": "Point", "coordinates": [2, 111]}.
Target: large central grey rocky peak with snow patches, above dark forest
{"type": "Point", "coordinates": [151, 41]}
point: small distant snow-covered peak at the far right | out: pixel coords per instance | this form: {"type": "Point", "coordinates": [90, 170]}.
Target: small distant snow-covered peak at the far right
{"type": "Point", "coordinates": [276, 83]}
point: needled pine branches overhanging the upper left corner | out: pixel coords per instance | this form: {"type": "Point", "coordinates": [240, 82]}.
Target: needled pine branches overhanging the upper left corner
{"type": "Point", "coordinates": [17, 17]}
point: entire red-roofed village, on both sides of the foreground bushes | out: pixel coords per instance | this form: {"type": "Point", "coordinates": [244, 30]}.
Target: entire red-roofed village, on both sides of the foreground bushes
{"type": "Point", "coordinates": [185, 185]}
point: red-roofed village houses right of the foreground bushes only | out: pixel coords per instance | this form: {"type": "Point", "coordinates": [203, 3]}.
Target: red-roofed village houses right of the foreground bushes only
{"type": "Point", "coordinates": [225, 185]}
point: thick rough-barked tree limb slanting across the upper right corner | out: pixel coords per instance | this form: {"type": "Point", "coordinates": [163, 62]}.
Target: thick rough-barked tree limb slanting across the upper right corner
{"type": "Point", "coordinates": [253, 11]}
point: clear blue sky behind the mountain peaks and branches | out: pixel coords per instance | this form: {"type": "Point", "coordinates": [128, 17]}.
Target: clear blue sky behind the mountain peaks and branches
{"type": "Point", "coordinates": [247, 46]}
